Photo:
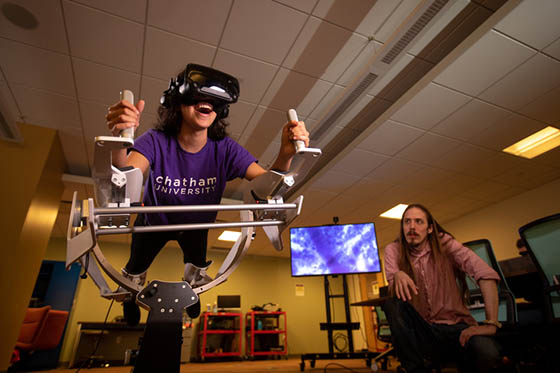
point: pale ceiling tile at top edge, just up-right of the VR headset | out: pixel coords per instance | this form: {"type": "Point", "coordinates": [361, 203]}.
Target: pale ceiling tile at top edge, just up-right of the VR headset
{"type": "Point", "coordinates": [271, 45]}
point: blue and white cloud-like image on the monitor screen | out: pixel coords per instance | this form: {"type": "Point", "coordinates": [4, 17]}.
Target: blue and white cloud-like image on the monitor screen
{"type": "Point", "coordinates": [334, 249]}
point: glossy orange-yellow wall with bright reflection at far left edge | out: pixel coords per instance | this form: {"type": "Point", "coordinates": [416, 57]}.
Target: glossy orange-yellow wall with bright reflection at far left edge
{"type": "Point", "coordinates": [30, 196]}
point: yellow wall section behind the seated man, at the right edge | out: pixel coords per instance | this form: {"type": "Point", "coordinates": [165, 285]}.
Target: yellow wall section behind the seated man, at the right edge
{"type": "Point", "coordinates": [500, 222]}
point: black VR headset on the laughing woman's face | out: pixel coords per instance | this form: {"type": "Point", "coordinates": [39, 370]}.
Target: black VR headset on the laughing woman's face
{"type": "Point", "coordinates": [201, 83]}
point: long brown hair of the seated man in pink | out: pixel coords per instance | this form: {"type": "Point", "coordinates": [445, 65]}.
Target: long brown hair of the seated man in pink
{"type": "Point", "coordinates": [438, 252]}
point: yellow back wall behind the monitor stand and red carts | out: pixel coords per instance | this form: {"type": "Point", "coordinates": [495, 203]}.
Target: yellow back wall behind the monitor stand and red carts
{"type": "Point", "coordinates": [258, 280]}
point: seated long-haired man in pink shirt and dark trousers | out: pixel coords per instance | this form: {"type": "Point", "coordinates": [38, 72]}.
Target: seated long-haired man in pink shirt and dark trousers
{"type": "Point", "coordinates": [428, 316]}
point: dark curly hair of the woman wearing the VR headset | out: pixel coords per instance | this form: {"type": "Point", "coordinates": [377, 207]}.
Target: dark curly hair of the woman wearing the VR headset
{"type": "Point", "coordinates": [170, 119]}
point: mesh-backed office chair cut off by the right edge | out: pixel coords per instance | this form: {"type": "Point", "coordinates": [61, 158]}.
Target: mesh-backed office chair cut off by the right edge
{"type": "Point", "coordinates": [542, 240]}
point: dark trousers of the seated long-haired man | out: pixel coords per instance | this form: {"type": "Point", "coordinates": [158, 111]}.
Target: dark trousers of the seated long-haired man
{"type": "Point", "coordinates": [418, 343]}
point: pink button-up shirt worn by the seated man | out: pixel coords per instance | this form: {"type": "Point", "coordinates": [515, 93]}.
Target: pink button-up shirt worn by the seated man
{"type": "Point", "coordinates": [439, 299]}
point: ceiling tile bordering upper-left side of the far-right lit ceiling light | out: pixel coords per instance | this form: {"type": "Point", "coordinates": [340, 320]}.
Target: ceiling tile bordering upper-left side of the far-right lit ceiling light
{"type": "Point", "coordinates": [506, 132]}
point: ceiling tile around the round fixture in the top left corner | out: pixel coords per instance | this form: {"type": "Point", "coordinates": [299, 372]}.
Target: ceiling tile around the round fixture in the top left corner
{"type": "Point", "coordinates": [49, 33]}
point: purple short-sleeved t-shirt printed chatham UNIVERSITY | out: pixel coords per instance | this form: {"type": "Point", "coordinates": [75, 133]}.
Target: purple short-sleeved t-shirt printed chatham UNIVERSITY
{"type": "Point", "coordinates": [178, 177]}
